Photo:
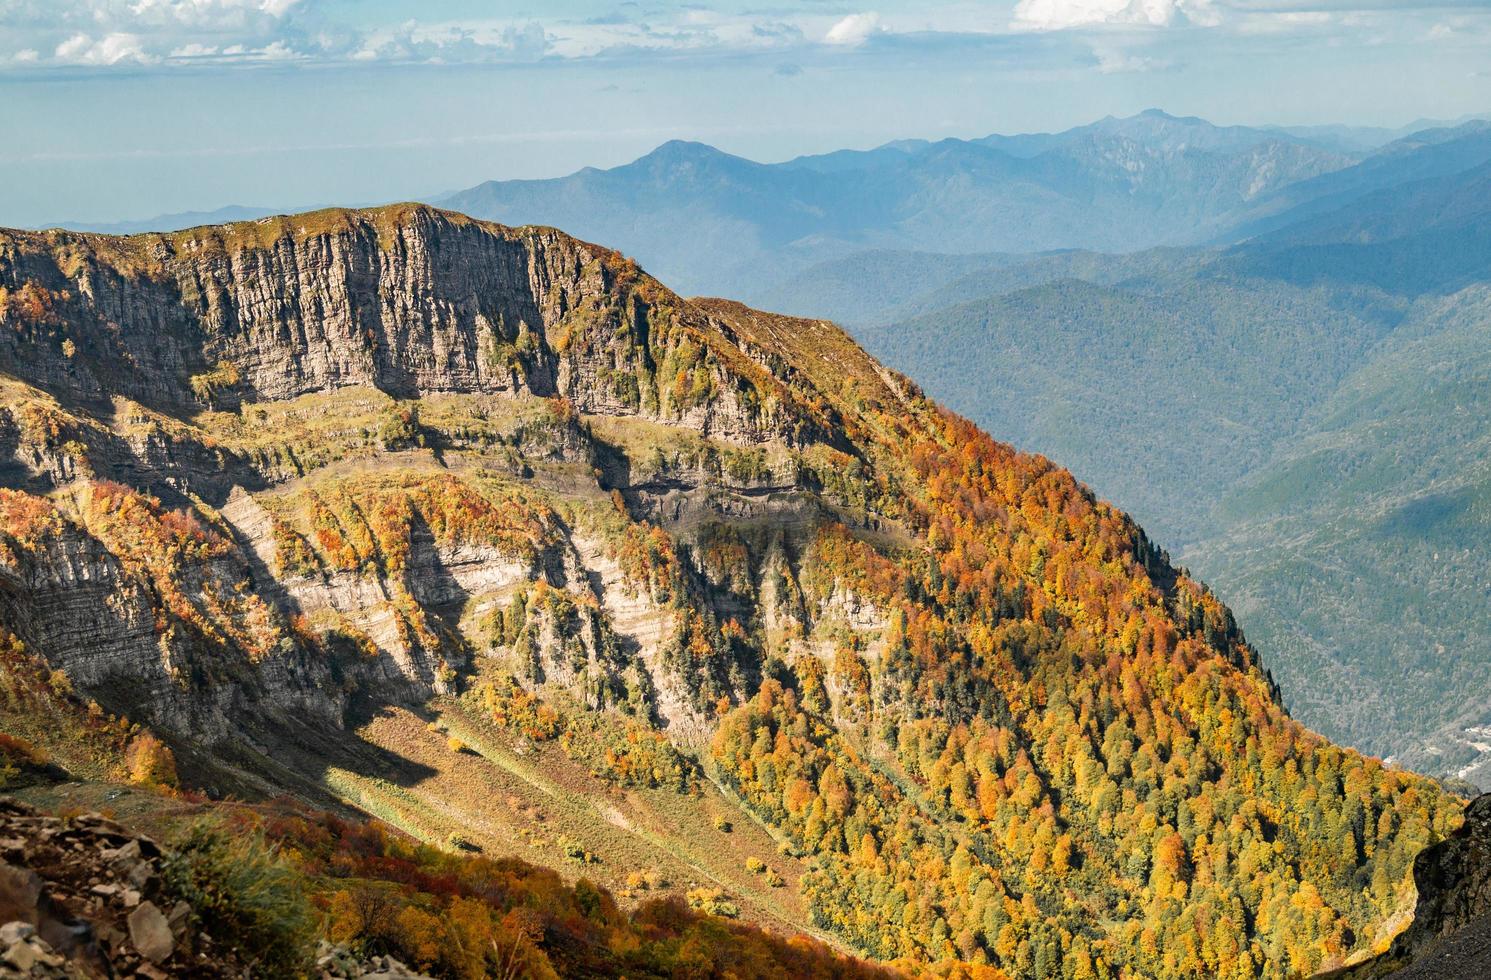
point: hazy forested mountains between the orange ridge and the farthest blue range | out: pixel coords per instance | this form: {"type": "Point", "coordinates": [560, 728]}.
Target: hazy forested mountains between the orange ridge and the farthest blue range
{"type": "Point", "coordinates": [1302, 417]}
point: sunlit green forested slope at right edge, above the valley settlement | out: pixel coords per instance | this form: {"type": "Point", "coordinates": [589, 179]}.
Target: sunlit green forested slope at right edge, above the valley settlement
{"type": "Point", "coordinates": [1381, 499]}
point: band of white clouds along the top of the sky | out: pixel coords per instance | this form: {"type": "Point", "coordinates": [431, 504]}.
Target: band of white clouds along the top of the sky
{"type": "Point", "coordinates": [198, 34]}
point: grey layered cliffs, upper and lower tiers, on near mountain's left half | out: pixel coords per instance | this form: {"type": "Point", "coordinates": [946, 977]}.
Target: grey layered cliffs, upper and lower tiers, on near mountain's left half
{"type": "Point", "coordinates": [148, 363]}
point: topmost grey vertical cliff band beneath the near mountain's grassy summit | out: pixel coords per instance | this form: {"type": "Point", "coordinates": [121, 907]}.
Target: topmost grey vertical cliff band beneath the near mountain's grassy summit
{"type": "Point", "coordinates": [409, 301]}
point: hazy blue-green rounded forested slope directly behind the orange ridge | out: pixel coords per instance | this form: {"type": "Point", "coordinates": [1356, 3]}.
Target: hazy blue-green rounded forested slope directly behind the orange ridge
{"type": "Point", "coordinates": [1161, 392]}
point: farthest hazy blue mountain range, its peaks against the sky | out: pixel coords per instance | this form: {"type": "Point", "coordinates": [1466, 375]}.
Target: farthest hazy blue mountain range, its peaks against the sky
{"type": "Point", "coordinates": [713, 223]}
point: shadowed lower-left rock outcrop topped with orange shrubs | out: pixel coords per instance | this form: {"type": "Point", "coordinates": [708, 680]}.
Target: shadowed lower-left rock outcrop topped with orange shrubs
{"type": "Point", "coordinates": [102, 618]}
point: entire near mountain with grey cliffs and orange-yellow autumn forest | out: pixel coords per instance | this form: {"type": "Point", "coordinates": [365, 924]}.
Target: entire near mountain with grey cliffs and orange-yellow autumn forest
{"type": "Point", "coordinates": [488, 533]}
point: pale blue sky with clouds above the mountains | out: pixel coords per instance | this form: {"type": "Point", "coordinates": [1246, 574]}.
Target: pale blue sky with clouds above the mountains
{"type": "Point", "coordinates": [123, 110]}
